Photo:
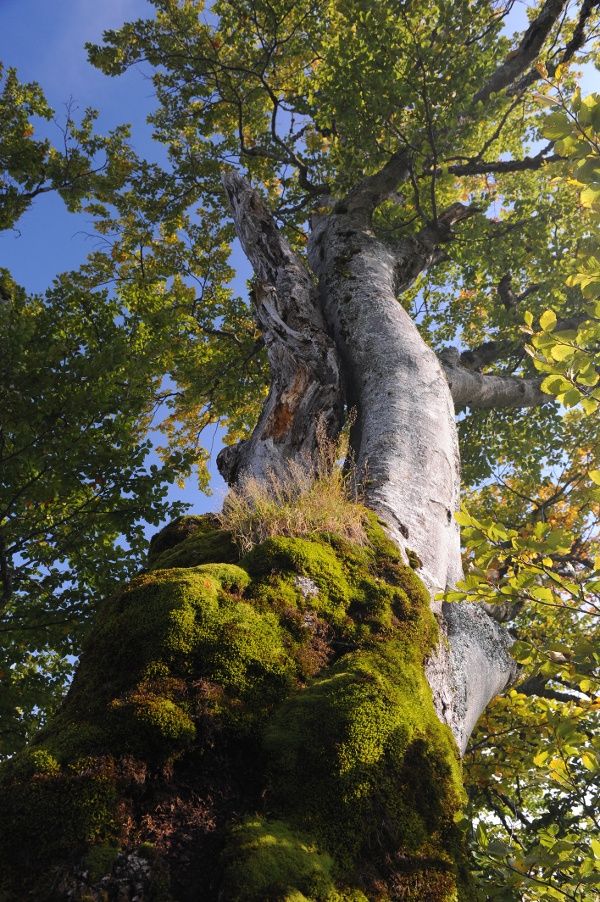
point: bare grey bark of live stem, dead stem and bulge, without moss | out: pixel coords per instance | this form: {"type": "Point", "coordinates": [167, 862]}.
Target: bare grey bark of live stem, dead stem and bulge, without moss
{"type": "Point", "coordinates": [404, 438]}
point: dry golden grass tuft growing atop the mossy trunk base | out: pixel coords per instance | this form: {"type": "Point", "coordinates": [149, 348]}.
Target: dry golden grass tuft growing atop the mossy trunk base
{"type": "Point", "coordinates": [308, 498]}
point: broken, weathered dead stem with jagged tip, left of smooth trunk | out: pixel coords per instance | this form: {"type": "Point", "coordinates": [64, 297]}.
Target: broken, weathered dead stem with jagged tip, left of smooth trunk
{"type": "Point", "coordinates": [305, 375]}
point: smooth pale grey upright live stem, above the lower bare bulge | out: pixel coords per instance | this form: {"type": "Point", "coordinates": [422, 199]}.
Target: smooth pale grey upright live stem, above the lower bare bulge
{"type": "Point", "coordinates": [405, 438]}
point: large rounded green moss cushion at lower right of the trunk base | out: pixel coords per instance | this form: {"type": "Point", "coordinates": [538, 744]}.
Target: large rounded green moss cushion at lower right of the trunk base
{"type": "Point", "coordinates": [362, 746]}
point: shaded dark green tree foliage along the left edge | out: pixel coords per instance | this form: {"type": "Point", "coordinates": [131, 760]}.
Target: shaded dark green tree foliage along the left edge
{"type": "Point", "coordinates": [81, 377]}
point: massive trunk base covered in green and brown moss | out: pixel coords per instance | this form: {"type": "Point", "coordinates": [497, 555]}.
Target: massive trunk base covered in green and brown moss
{"type": "Point", "coordinates": [255, 729]}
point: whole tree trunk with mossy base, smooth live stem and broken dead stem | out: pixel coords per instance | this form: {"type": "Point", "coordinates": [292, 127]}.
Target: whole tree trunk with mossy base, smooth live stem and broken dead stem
{"type": "Point", "coordinates": [288, 723]}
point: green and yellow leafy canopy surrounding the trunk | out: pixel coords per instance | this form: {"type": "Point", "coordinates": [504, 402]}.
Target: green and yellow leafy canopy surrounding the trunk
{"type": "Point", "coordinates": [308, 100]}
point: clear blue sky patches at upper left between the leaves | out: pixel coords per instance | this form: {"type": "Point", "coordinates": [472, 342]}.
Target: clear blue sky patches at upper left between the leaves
{"type": "Point", "coordinates": [44, 41]}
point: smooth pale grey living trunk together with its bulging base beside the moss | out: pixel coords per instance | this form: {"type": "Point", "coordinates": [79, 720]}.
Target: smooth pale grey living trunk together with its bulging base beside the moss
{"type": "Point", "coordinates": [406, 452]}
